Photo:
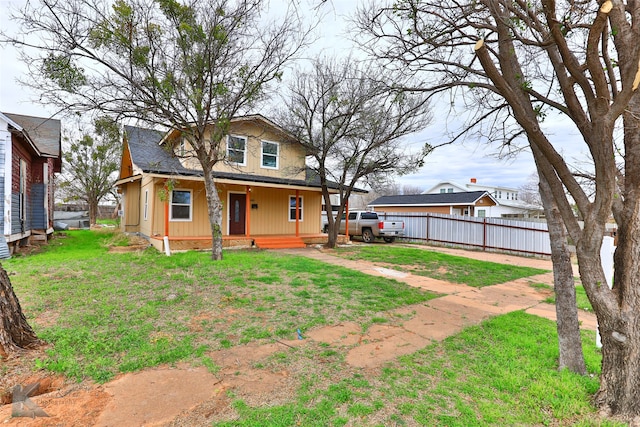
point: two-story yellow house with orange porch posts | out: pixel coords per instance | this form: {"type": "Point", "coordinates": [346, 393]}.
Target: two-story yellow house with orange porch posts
{"type": "Point", "coordinates": [262, 184]}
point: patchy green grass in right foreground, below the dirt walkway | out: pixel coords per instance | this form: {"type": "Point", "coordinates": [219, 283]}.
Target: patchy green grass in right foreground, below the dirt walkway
{"type": "Point", "coordinates": [502, 372]}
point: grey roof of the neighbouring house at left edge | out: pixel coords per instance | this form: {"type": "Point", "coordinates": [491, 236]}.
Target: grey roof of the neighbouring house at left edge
{"type": "Point", "coordinates": [44, 133]}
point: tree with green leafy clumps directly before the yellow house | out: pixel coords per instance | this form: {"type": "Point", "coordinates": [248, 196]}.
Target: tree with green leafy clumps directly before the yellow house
{"type": "Point", "coordinates": [189, 66]}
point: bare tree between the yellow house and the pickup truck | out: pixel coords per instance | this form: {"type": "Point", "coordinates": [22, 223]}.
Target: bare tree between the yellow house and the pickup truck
{"type": "Point", "coordinates": [352, 126]}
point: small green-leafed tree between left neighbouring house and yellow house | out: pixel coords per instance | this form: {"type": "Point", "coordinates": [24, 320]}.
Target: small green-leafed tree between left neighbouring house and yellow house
{"type": "Point", "coordinates": [89, 166]}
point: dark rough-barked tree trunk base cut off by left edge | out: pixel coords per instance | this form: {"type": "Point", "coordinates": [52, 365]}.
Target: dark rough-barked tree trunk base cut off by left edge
{"type": "Point", "coordinates": [15, 332]}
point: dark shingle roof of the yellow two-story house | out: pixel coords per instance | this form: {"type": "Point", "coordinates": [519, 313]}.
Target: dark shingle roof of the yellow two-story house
{"type": "Point", "coordinates": [150, 157]}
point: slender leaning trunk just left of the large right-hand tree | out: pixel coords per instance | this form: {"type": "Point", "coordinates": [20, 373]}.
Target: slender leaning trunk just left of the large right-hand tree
{"type": "Point", "coordinates": [568, 325]}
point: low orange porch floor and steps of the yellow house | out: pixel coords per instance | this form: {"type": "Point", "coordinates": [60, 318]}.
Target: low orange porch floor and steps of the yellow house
{"type": "Point", "coordinates": [243, 241]}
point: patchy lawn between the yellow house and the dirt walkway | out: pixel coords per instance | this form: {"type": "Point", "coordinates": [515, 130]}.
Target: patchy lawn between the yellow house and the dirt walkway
{"type": "Point", "coordinates": [117, 312]}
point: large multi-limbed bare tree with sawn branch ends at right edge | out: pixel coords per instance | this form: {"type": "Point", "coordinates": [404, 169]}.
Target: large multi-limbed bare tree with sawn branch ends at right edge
{"type": "Point", "coordinates": [516, 62]}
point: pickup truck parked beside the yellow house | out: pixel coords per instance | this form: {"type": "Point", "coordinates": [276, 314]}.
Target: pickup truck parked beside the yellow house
{"type": "Point", "coordinates": [369, 226]}
